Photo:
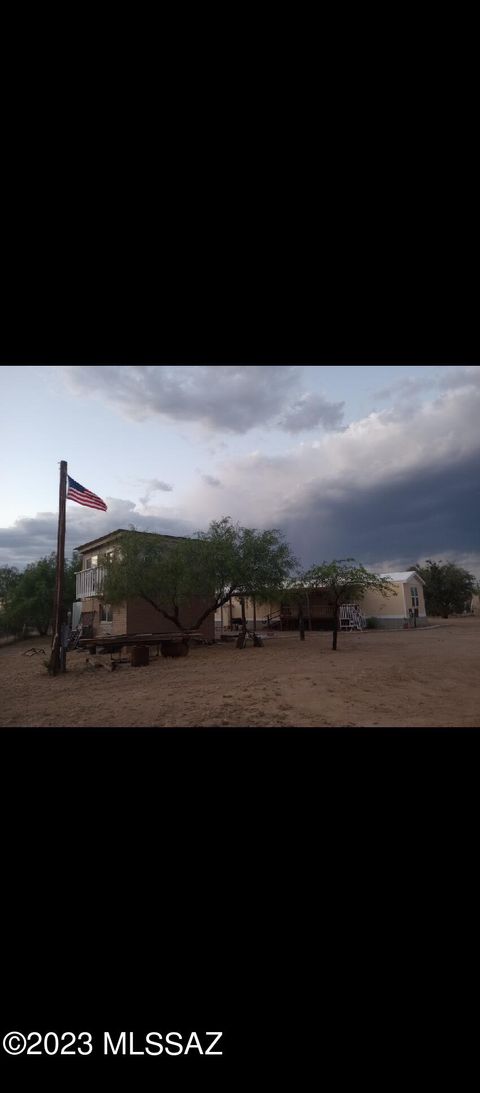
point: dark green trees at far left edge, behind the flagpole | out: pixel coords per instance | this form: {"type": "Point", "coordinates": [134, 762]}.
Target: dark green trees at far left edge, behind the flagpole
{"type": "Point", "coordinates": [30, 600]}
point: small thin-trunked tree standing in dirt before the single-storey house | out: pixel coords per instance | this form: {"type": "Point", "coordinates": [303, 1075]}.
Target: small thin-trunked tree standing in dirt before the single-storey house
{"type": "Point", "coordinates": [345, 581]}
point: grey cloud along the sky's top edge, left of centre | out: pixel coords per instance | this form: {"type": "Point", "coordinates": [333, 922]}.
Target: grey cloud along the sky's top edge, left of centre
{"type": "Point", "coordinates": [221, 397]}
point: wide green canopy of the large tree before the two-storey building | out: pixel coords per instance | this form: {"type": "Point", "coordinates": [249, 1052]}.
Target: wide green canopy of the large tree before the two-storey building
{"type": "Point", "coordinates": [219, 563]}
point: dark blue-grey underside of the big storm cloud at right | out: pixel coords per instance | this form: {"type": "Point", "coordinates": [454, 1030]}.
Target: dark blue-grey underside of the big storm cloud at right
{"type": "Point", "coordinates": [413, 516]}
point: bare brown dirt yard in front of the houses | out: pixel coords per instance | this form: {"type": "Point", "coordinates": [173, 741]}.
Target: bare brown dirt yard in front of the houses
{"type": "Point", "coordinates": [427, 677]}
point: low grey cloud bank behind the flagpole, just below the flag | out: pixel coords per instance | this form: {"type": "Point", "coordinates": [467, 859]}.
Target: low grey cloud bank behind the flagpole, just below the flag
{"type": "Point", "coordinates": [36, 537]}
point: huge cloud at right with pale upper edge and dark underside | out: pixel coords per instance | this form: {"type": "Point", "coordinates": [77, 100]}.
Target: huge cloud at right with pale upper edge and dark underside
{"type": "Point", "coordinates": [400, 485]}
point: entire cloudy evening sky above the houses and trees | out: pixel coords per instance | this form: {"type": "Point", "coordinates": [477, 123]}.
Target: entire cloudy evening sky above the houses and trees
{"type": "Point", "coordinates": [377, 463]}
